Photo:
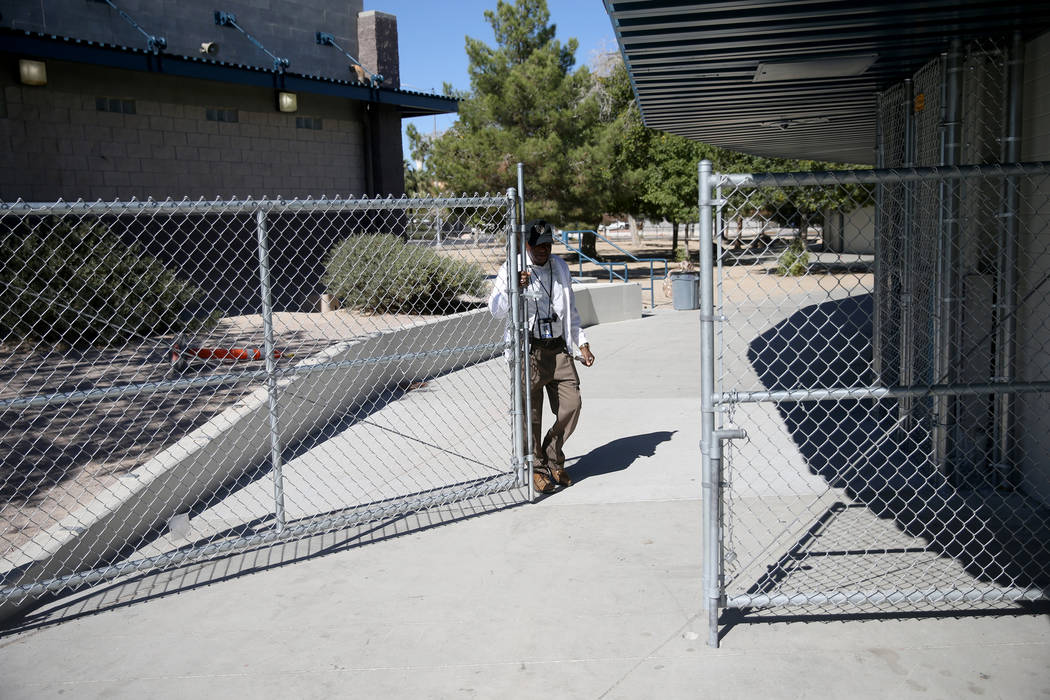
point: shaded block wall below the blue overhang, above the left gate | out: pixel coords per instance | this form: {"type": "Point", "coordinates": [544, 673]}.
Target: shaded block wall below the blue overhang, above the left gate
{"type": "Point", "coordinates": [58, 144]}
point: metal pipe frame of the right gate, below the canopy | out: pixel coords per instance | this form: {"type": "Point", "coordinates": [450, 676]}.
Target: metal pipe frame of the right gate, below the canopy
{"type": "Point", "coordinates": [715, 401]}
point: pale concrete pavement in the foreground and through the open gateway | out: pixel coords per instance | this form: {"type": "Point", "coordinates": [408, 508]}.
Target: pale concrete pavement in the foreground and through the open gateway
{"type": "Point", "coordinates": [593, 592]}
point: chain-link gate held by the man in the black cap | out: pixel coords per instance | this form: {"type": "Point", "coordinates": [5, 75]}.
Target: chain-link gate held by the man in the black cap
{"type": "Point", "coordinates": [179, 380]}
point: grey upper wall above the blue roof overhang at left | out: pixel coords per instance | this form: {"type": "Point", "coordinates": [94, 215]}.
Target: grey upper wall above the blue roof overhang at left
{"type": "Point", "coordinates": [286, 29]}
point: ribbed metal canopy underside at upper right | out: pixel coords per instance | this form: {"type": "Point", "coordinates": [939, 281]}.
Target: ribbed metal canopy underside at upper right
{"type": "Point", "coordinates": [820, 66]}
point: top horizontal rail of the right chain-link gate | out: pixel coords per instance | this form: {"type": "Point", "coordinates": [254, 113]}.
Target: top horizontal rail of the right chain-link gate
{"type": "Point", "coordinates": [874, 177]}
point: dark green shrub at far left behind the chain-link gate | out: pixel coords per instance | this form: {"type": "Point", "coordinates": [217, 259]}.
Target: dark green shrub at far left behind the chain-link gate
{"type": "Point", "coordinates": [81, 286]}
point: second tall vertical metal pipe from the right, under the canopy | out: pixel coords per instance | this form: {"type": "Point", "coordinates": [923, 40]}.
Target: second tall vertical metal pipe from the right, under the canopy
{"type": "Point", "coordinates": [948, 332]}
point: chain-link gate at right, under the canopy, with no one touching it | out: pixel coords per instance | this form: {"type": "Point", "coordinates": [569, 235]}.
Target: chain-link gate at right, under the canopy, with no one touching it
{"type": "Point", "coordinates": [869, 446]}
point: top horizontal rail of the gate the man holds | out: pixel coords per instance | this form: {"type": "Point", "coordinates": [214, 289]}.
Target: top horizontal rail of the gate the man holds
{"type": "Point", "coordinates": [20, 208]}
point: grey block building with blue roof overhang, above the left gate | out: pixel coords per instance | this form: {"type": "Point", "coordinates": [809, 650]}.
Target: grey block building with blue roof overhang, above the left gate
{"type": "Point", "coordinates": [144, 99]}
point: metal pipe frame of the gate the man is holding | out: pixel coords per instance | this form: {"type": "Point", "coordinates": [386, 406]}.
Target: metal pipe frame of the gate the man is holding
{"type": "Point", "coordinates": [25, 584]}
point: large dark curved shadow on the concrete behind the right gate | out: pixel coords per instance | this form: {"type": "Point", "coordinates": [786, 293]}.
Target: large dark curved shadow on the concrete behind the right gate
{"type": "Point", "coordinates": [998, 537]}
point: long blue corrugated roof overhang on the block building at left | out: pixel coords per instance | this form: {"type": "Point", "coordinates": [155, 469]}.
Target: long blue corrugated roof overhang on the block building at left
{"type": "Point", "coordinates": [80, 51]}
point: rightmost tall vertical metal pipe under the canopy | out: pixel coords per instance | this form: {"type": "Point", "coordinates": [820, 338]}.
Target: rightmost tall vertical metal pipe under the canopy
{"type": "Point", "coordinates": [1006, 295]}
